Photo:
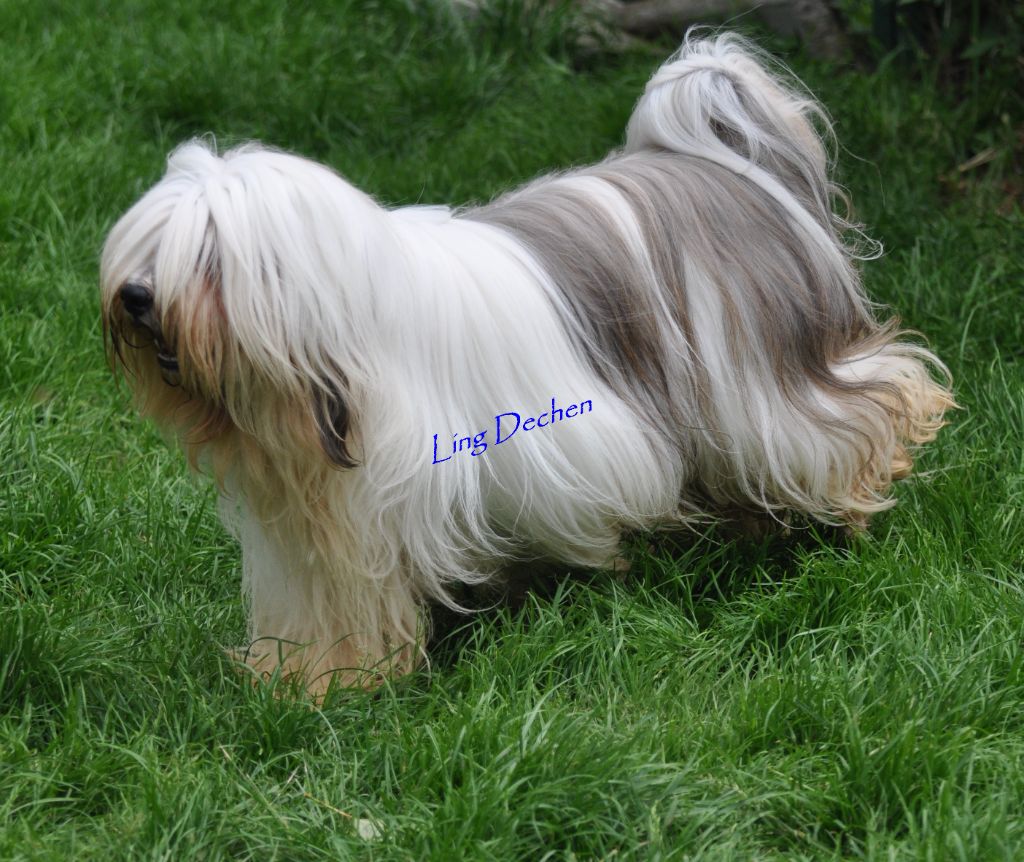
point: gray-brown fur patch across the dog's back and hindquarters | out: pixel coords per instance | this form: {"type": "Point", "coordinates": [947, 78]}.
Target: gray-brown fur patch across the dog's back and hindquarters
{"type": "Point", "coordinates": [788, 317]}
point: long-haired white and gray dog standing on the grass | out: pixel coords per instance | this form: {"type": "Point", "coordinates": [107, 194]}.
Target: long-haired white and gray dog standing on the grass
{"type": "Point", "coordinates": [367, 386]}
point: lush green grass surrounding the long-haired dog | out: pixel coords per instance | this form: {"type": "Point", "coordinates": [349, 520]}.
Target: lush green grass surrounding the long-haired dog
{"type": "Point", "coordinates": [788, 700]}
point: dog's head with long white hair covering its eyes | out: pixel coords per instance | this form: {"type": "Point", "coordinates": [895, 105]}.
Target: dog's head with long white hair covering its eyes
{"type": "Point", "coordinates": [225, 303]}
